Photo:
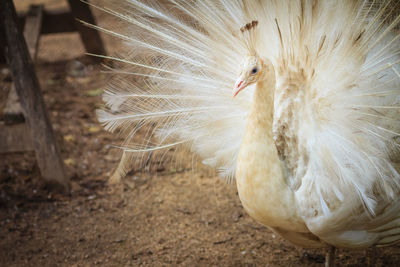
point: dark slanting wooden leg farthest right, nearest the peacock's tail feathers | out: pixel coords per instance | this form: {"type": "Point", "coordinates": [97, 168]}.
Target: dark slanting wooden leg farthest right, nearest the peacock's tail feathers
{"type": "Point", "coordinates": [90, 37]}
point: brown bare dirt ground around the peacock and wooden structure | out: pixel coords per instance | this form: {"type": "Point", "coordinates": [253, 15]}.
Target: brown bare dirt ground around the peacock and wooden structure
{"type": "Point", "coordinates": [166, 216]}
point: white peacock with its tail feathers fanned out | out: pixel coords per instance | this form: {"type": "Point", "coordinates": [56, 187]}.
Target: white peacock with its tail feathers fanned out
{"type": "Point", "coordinates": [311, 135]}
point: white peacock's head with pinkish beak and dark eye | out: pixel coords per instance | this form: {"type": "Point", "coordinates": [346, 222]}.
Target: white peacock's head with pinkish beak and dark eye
{"type": "Point", "coordinates": [254, 69]}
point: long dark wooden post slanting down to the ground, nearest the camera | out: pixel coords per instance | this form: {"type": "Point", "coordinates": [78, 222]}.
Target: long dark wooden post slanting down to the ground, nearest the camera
{"type": "Point", "coordinates": [28, 90]}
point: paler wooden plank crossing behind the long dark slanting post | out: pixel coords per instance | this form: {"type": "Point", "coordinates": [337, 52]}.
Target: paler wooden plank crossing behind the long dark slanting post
{"type": "Point", "coordinates": [13, 111]}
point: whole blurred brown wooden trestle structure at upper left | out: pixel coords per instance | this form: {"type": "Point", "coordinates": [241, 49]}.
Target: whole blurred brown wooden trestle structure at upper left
{"type": "Point", "coordinates": [26, 123]}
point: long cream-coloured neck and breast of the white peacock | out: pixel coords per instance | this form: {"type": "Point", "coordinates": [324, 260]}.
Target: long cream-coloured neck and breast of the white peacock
{"type": "Point", "coordinates": [261, 185]}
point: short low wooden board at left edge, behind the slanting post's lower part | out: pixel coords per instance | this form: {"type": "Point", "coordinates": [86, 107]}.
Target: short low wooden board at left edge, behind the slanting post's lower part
{"type": "Point", "coordinates": [15, 138]}
